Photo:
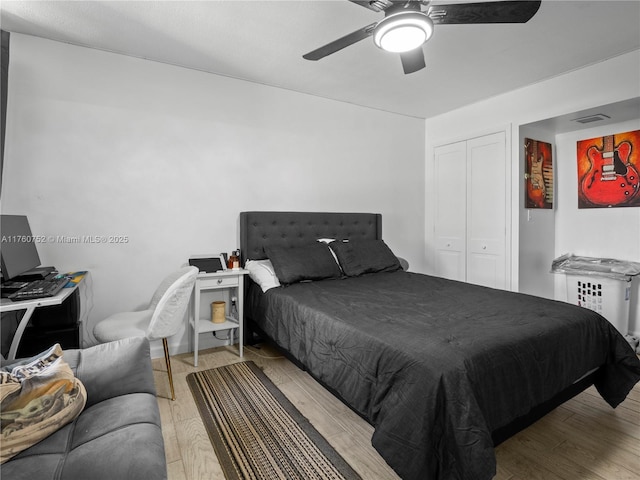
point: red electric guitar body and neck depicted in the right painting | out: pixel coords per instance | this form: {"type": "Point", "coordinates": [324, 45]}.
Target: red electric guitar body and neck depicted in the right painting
{"type": "Point", "coordinates": [611, 179]}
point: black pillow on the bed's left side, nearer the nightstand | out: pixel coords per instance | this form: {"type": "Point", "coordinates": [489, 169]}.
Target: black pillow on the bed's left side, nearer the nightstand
{"type": "Point", "coordinates": [296, 264]}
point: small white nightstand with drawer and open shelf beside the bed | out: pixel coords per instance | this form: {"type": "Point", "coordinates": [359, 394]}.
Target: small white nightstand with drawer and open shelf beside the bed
{"type": "Point", "coordinates": [228, 279]}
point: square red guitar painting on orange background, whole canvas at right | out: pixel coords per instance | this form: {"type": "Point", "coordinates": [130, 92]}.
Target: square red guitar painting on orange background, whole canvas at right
{"type": "Point", "coordinates": [608, 171]}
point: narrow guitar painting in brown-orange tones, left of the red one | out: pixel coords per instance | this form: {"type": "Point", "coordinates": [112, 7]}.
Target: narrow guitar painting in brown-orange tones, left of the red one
{"type": "Point", "coordinates": [538, 174]}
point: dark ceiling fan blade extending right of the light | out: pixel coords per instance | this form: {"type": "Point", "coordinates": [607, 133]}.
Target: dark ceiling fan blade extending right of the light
{"type": "Point", "coordinates": [518, 11]}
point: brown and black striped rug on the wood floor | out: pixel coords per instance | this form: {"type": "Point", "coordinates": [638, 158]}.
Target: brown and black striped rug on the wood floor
{"type": "Point", "coordinates": [255, 430]}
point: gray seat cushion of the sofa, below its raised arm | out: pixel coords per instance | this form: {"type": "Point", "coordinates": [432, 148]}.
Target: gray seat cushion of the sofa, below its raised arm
{"type": "Point", "coordinates": [116, 438]}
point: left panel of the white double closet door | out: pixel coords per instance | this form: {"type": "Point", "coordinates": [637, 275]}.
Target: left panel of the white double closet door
{"type": "Point", "coordinates": [450, 210]}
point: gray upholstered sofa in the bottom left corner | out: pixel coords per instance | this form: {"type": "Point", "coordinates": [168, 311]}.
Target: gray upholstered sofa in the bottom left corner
{"type": "Point", "coordinates": [117, 435]}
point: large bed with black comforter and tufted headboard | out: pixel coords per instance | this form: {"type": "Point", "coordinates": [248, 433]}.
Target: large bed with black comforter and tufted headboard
{"type": "Point", "coordinates": [443, 370]}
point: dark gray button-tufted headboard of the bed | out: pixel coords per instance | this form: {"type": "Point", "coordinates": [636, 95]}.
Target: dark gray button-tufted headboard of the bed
{"type": "Point", "coordinates": [261, 229]}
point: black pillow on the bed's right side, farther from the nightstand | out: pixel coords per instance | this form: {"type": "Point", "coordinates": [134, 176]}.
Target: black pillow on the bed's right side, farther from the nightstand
{"type": "Point", "coordinates": [357, 257]}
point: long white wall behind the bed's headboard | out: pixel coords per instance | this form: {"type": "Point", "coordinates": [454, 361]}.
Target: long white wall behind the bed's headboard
{"type": "Point", "coordinates": [103, 144]}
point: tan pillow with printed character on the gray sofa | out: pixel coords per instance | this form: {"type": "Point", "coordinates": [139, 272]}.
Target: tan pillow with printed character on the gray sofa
{"type": "Point", "coordinates": [36, 399]}
